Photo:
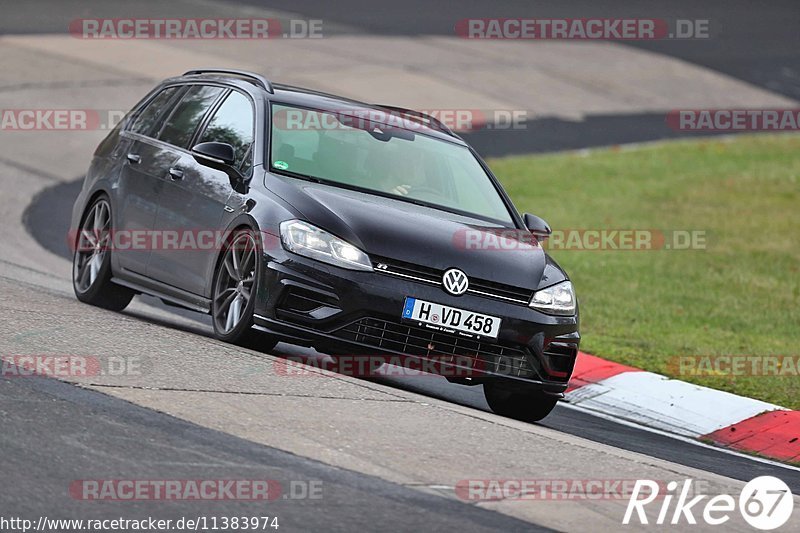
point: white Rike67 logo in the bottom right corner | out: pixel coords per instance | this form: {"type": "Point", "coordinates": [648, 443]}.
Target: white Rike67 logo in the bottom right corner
{"type": "Point", "coordinates": [766, 503]}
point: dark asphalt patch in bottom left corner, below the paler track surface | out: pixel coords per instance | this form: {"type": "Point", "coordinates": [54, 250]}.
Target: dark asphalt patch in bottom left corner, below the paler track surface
{"type": "Point", "coordinates": [146, 443]}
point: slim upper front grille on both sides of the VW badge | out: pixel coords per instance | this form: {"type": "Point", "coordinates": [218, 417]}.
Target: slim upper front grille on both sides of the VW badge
{"type": "Point", "coordinates": [433, 276]}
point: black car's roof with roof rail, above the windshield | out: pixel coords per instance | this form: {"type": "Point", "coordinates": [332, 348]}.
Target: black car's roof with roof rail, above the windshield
{"type": "Point", "coordinates": [257, 85]}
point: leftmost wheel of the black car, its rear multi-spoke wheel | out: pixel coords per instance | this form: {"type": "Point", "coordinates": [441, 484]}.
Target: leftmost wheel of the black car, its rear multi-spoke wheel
{"type": "Point", "coordinates": [91, 262]}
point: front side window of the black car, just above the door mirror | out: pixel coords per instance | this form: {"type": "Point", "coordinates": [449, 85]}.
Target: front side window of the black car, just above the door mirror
{"type": "Point", "coordinates": [233, 123]}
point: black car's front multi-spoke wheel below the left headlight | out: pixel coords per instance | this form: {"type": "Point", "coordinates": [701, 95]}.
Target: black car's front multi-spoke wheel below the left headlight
{"type": "Point", "coordinates": [234, 292]}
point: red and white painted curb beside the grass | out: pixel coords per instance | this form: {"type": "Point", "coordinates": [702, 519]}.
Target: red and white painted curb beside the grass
{"type": "Point", "coordinates": [681, 408]}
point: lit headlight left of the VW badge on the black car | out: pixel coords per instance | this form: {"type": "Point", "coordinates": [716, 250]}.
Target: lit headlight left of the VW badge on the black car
{"type": "Point", "coordinates": [304, 239]}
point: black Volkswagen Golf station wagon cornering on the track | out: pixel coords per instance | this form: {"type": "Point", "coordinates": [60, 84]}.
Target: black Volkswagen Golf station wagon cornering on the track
{"type": "Point", "coordinates": [297, 216]}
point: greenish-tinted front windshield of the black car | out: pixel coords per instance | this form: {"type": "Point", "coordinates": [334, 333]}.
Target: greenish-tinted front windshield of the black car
{"type": "Point", "coordinates": [365, 153]}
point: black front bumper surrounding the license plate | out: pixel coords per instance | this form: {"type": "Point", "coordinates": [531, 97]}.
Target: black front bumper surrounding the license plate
{"type": "Point", "coordinates": [341, 311]}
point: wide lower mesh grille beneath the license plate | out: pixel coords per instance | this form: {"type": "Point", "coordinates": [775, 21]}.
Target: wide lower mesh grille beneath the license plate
{"type": "Point", "coordinates": [443, 347]}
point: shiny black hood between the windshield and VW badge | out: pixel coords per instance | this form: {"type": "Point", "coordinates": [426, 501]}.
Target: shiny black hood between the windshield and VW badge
{"type": "Point", "coordinates": [395, 229]}
